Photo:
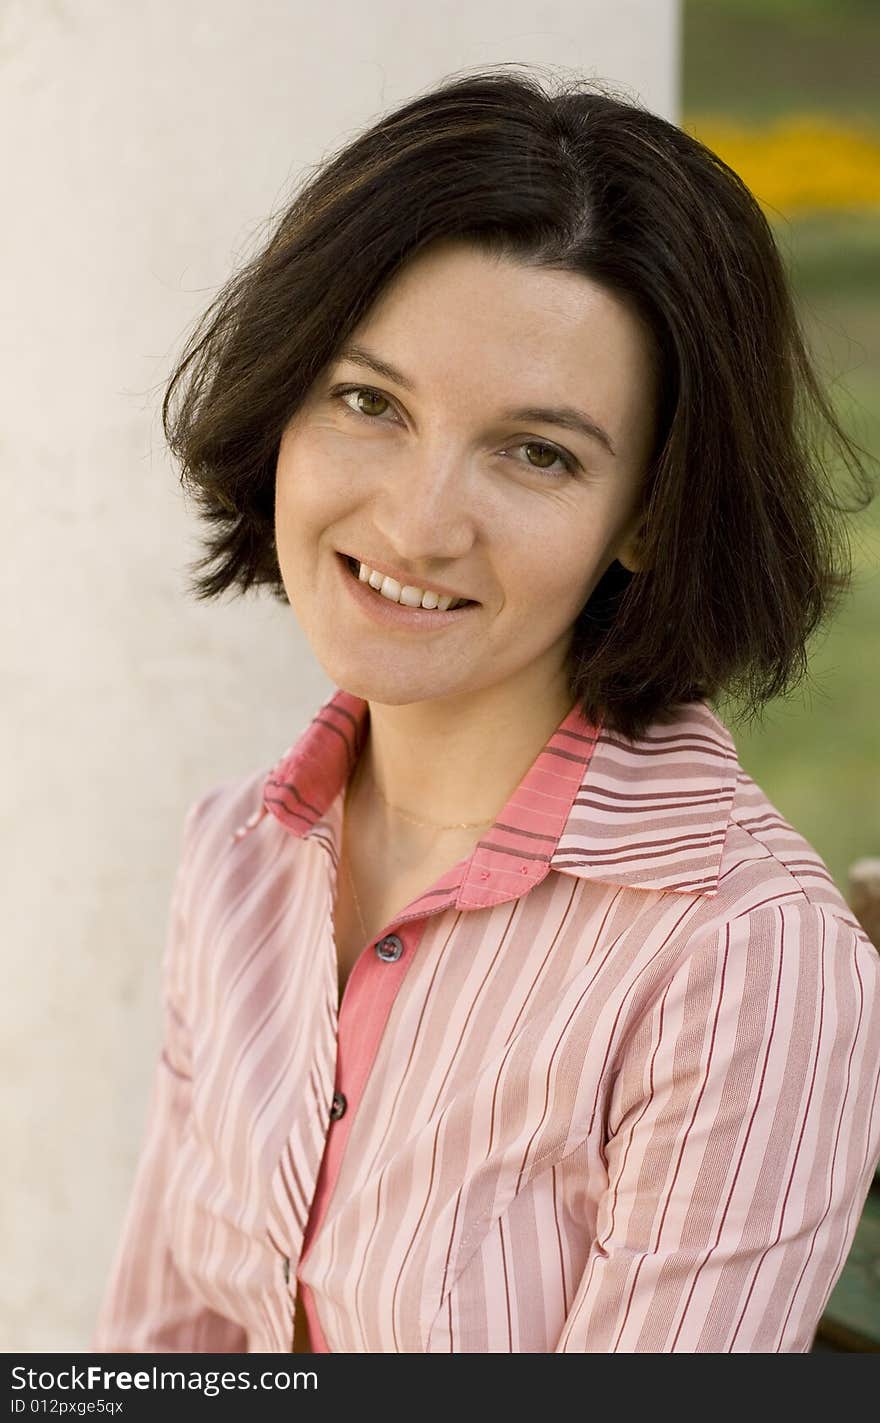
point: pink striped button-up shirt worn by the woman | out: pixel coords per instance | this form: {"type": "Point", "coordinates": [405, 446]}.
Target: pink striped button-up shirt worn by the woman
{"type": "Point", "coordinates": [610, 1085]}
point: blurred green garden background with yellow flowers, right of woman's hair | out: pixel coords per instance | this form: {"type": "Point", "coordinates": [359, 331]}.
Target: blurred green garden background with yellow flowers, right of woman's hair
{"type": "Point", "coordinates": [787, 93]}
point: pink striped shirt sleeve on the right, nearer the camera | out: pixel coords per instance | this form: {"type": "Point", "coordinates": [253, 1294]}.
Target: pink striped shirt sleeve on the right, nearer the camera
{"type": "Point", "coordinates": [741, 1143]}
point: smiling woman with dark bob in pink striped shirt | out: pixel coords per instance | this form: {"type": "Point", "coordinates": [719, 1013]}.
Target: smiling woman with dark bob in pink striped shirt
{"type": "Point", "coordinates": [505, 1014]}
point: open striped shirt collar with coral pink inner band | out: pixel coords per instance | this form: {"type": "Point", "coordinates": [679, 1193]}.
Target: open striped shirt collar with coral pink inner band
{"type": "Point", "coordinates": [651, 815]}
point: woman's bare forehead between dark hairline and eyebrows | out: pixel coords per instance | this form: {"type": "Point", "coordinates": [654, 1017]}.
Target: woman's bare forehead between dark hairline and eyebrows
{"type": "Point", "coordinates": [509, 337]}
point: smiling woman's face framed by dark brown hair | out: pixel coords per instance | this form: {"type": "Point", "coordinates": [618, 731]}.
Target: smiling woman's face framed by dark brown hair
{"type": "Point", "coordinates": [454, 472]}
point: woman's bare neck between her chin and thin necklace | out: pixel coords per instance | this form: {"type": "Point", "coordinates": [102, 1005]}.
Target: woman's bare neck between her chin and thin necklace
{"type": "Point", "coordinates": [449, 762]}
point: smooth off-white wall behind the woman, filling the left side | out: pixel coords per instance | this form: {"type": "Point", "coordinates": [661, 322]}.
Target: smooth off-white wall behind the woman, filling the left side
{"type": "Point", "coordinates": [145, 144]}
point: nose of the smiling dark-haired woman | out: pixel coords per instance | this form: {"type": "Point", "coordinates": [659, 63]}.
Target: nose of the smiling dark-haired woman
{"type": "Point", "coordinates": [424, 510]}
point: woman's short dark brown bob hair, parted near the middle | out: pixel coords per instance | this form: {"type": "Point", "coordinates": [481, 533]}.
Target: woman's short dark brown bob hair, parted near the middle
{"type": "Point", "coordinates": [744, 550]}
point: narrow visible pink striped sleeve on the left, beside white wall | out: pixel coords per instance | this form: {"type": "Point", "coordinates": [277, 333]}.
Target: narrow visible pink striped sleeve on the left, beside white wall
{"type": "Point", "coordinates": [147, 1306]}
